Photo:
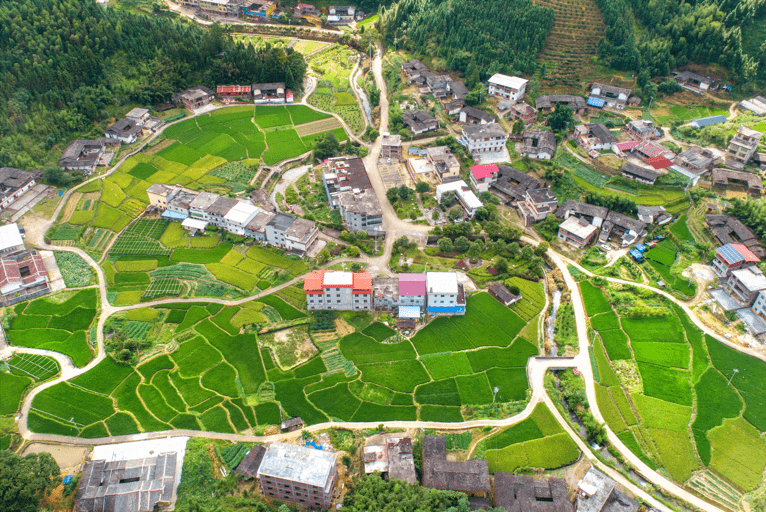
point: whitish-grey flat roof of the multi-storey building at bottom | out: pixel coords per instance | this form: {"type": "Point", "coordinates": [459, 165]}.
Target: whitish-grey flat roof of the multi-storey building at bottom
{"type": "Point", "coordinates": [298, 464]}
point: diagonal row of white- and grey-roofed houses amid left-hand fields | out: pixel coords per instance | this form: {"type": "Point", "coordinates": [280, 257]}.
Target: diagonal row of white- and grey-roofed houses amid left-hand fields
{"type": "Point", "coordinates": [198, 210]}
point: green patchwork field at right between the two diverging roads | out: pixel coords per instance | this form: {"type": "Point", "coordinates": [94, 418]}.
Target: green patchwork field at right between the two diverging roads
{"type": "Point", "coordinates": [654, 369]}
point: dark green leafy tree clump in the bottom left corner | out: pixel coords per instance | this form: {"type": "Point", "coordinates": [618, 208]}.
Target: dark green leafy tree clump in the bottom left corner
{"type": "Point", "coordinates": [25, 480]}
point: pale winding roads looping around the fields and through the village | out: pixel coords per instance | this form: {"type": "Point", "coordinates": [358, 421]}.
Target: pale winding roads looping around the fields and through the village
{"type": "Point", "coordinates": [536, 368]}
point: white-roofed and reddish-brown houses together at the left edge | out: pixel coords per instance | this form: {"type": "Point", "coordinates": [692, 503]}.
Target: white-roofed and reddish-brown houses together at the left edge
{"type": "Point", "coordinates": [23, 275]}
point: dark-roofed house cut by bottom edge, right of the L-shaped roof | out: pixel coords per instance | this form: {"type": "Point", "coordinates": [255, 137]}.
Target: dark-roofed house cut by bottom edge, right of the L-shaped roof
{"type": "Point", "coordinates": [521, 493]}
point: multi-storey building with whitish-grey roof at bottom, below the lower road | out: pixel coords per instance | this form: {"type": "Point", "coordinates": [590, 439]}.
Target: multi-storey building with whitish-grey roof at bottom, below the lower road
{"type": "Point", "coordinates": [298, 474]}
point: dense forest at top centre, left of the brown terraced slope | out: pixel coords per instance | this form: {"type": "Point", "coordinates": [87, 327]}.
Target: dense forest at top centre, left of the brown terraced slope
{"type": "Point", "coordinates": [484, 36]}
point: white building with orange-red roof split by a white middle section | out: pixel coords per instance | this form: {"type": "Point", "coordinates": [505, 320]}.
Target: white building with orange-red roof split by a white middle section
{"type": "Point", "coordinates": [347, 291]}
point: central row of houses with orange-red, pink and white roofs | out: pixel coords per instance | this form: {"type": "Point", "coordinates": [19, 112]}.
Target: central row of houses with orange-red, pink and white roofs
{"type": "Point", "coordinates": [435, 293]}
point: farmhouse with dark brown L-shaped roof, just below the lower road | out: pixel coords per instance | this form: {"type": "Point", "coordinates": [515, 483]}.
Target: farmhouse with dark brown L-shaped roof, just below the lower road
{"type": "Point", "coordinates": [470, 477]}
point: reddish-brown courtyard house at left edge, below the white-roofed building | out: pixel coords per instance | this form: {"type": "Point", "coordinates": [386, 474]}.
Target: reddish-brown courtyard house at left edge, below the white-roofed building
{"type": "Point", "coordinates": [22, 277]}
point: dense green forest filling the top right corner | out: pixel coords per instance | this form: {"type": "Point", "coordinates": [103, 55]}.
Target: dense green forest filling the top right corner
{"type": "Point", "coordinates": [676, 32]}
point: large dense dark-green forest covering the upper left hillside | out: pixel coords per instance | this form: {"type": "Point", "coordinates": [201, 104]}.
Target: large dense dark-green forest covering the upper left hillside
{"type": "Point", "coordinates": [65, 65]}
